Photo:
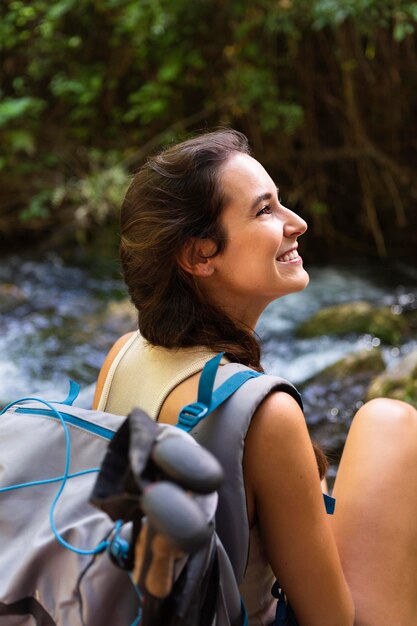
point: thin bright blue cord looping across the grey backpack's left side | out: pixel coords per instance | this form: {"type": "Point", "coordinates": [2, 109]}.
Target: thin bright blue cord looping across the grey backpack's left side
{"type": "Point", "coordinates": [103, 544]}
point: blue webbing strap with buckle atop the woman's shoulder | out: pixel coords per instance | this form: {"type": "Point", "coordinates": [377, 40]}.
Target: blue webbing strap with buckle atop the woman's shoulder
{"type": "Point", "coordinates": [209, 400]}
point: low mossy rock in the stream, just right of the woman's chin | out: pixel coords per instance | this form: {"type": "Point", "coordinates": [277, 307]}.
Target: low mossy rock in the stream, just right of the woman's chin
{"type": "Point", "coordinates": [355, 317]}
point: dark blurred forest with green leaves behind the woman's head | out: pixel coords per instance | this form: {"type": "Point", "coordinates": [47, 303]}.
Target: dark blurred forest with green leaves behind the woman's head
{"type": "Point", "coordinates": [326, 91]}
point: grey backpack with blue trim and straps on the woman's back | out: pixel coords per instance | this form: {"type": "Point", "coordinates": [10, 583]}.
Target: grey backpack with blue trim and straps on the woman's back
{"type": "Point", "coordinates": [55, 545]}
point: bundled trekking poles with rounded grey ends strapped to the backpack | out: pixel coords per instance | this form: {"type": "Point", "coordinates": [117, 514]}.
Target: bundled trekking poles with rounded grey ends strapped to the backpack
{"type": "Point", "coordinates": [167, 483]}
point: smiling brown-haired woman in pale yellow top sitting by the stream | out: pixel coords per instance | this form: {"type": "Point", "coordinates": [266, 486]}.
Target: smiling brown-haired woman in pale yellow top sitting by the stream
{"type": "Point", "coordinates": [205, 245]}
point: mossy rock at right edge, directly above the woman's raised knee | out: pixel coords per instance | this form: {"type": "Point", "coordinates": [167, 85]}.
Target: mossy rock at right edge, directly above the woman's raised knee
{"type": "Point", "coordinates": [399, 381]}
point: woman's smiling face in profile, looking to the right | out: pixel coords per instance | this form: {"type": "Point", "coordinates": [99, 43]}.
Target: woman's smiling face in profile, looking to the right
{"type": "Point", "coordinates": [260, 261]}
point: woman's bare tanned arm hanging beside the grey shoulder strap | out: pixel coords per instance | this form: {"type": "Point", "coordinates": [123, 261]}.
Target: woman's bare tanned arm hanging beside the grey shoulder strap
{"type": "Point", "coordinates": [285, 498]}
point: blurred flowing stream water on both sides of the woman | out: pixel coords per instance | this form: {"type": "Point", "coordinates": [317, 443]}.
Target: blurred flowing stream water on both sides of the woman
{"type": "Point", "coordinates": [57, 322]}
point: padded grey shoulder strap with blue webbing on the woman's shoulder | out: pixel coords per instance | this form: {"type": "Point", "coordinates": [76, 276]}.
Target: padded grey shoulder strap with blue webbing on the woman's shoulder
{"type": "Point", "coordinates": [227, 413]}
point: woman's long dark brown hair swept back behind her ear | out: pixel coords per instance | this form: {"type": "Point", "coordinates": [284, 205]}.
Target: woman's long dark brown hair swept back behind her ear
{"type": "Point", "coordinates": [177, 196]}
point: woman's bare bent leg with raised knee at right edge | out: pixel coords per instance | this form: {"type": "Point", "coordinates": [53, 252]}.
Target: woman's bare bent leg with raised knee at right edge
{"type": "Point", "coordinates": [375, 521]}
